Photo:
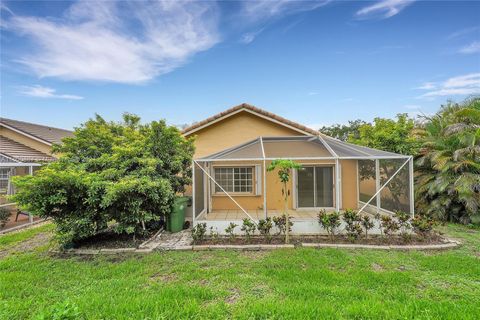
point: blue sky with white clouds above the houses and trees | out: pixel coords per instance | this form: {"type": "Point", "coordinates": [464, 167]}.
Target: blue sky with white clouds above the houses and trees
{"type": "Point", "coordinates": [317, 63]}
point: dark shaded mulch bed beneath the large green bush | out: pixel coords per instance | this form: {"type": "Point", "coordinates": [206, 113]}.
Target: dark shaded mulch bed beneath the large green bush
{"type": "Point", "coordinates": [111, 240]}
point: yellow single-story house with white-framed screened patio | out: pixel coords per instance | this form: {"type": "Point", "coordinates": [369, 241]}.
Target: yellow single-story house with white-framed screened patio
{"type": "Point", "coordinates": [235, 147]}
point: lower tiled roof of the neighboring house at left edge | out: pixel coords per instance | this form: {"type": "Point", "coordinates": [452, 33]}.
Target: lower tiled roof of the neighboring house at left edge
{"type": "Point", "coordinates": [21, 153]}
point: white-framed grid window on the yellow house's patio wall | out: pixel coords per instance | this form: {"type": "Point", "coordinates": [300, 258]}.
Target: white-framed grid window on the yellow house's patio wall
{"type": "Point", "coordinates": [234, 179]}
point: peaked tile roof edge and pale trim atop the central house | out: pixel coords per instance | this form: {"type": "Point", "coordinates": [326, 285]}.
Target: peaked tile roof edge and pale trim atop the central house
{"type": "Point", "coordinates": [251, 109]}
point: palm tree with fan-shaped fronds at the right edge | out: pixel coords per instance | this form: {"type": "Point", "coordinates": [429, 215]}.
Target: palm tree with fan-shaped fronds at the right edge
{"type": "Point", "coordinates": [448, 165]}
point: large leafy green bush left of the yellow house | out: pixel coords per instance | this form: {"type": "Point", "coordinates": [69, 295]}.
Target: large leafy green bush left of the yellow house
{"type": "Point", "coordinates": [124, 174]}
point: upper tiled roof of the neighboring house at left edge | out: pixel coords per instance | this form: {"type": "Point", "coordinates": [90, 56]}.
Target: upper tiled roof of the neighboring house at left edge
{"type": "Point", "coordinates": [45, 134]}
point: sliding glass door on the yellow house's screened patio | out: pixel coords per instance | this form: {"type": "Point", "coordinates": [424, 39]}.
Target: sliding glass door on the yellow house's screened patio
{"type": "Point", "coordinates": [315, 187]}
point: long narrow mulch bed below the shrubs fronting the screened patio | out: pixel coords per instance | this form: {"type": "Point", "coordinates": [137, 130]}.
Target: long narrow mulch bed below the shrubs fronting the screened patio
{"type": "Point", "coordinates": [339, 239]}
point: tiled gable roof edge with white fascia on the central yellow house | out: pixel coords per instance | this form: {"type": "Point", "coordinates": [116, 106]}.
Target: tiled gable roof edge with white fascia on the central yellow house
{"type": "Point", "coordinates": [252, 108]}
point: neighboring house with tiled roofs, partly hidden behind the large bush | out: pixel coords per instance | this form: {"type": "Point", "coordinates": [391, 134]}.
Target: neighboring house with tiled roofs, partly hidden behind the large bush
{"type": "Point", "coordinates": [24, 147]}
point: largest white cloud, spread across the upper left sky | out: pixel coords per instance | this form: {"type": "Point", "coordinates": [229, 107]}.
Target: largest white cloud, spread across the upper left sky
{"type": "Point", "coordinates": [124, 41]}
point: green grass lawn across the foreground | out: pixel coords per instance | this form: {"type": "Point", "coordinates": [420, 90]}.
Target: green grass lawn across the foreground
{"type": "Point", "coordinates": [303, 283]}
